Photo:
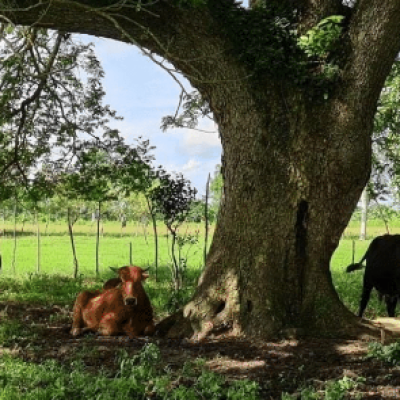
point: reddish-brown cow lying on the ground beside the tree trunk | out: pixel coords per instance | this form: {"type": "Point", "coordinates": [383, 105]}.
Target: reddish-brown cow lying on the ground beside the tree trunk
{"type": "Point", "coordinates": [124, 309]}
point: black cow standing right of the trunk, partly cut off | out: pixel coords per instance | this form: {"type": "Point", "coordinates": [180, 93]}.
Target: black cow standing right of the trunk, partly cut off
{"type": "Point", "coordinates": [382, 271]}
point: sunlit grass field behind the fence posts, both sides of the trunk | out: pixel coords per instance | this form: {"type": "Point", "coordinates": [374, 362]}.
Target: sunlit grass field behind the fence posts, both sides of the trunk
{"type": "Point", "coordinates": [56, 258]}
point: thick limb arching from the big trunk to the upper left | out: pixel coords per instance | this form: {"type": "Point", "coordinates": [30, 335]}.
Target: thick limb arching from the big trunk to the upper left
{"type": "Point", "coordinates": [185, 36]}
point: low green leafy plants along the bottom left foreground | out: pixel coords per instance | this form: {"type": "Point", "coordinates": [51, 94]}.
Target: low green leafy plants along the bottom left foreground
{"type": "Point", "coordinates": [138, 378]}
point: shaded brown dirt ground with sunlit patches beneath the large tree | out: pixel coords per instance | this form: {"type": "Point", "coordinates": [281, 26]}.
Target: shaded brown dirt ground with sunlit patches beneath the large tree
{"type": "Point", "coordinates": [279, 367]}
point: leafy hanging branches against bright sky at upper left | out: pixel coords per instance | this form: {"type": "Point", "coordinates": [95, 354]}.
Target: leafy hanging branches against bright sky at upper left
{"type": "Point", "coordinates": [45, 106]}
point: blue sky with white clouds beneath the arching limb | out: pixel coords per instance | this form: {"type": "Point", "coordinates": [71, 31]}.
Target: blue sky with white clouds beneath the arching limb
{"type": "Point", "coordinates": [142, 93]}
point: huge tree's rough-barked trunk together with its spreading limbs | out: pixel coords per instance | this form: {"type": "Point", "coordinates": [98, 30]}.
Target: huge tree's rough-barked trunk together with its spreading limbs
{"type": "Point", "coordinates": [294, 168]}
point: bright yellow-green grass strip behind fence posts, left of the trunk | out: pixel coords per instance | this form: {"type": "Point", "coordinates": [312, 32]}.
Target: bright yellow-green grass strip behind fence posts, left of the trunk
{"type": "Point", "coordinates": [56, 251]}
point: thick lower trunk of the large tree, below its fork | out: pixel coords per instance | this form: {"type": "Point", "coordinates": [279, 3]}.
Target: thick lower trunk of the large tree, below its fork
{"type": "Point", "coordinates": [288, 199]}
